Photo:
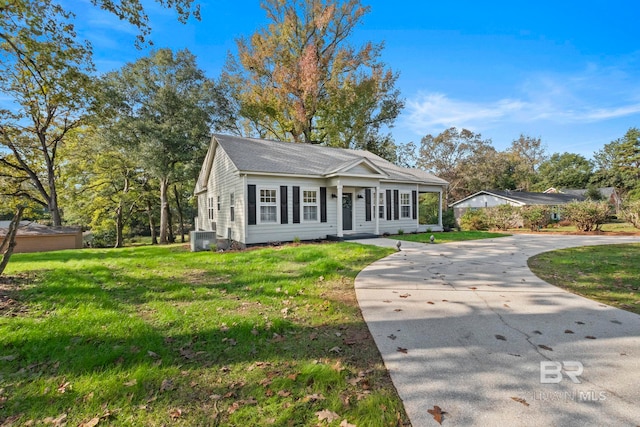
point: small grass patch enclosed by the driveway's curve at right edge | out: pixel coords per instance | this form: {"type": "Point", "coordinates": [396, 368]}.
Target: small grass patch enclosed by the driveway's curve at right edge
{"type": "Point", "coordinates": [609, 274]}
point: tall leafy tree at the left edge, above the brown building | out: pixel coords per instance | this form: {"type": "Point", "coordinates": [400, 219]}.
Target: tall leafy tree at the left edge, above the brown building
{"type": "Point", "coordinates": [45, 75]}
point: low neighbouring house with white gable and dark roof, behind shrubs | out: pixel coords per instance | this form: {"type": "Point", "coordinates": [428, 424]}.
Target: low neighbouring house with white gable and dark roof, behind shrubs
{"type": "Point", "coordinates": [489, 198]}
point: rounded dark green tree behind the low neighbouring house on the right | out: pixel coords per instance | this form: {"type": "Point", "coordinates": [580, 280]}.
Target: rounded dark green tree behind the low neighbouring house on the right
{"type": "Point", "coordinates": [566, 170]}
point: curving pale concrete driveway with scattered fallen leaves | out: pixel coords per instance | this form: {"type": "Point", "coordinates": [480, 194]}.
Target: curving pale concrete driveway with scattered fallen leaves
{"type": "Point", "coordinates": [465, 326]}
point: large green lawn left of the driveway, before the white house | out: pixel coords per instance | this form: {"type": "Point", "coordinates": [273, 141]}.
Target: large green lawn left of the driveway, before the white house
{"type": "Point", "coordinates": [159, 336]}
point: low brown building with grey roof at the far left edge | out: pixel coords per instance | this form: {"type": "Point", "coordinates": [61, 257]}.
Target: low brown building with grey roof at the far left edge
{"type": "Point", "coordinates": [32, 237]}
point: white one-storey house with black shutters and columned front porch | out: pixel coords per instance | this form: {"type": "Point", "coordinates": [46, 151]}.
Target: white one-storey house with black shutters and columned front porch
{"type": "Point", "coordinates": [258, 191]}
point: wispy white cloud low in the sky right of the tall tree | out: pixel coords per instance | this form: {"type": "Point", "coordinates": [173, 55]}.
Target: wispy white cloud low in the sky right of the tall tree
{"type": "Point", "coordinates": [589, 97]}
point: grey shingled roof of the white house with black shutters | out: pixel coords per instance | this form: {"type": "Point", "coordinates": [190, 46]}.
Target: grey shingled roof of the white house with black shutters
{"type": "Point", "coordinates": [250, 155]}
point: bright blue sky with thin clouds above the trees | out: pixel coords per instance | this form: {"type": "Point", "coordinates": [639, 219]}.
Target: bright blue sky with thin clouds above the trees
{"type": "Point", "coordinates": [567, 72]}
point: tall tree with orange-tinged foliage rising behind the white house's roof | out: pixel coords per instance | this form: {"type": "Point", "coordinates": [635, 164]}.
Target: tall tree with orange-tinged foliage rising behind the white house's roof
{"type": "Point", "coordinates": [298, 79]}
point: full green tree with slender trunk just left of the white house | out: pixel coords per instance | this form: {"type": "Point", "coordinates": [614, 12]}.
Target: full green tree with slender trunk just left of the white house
{"type": "Point", "coordinates": [164, 107]}
